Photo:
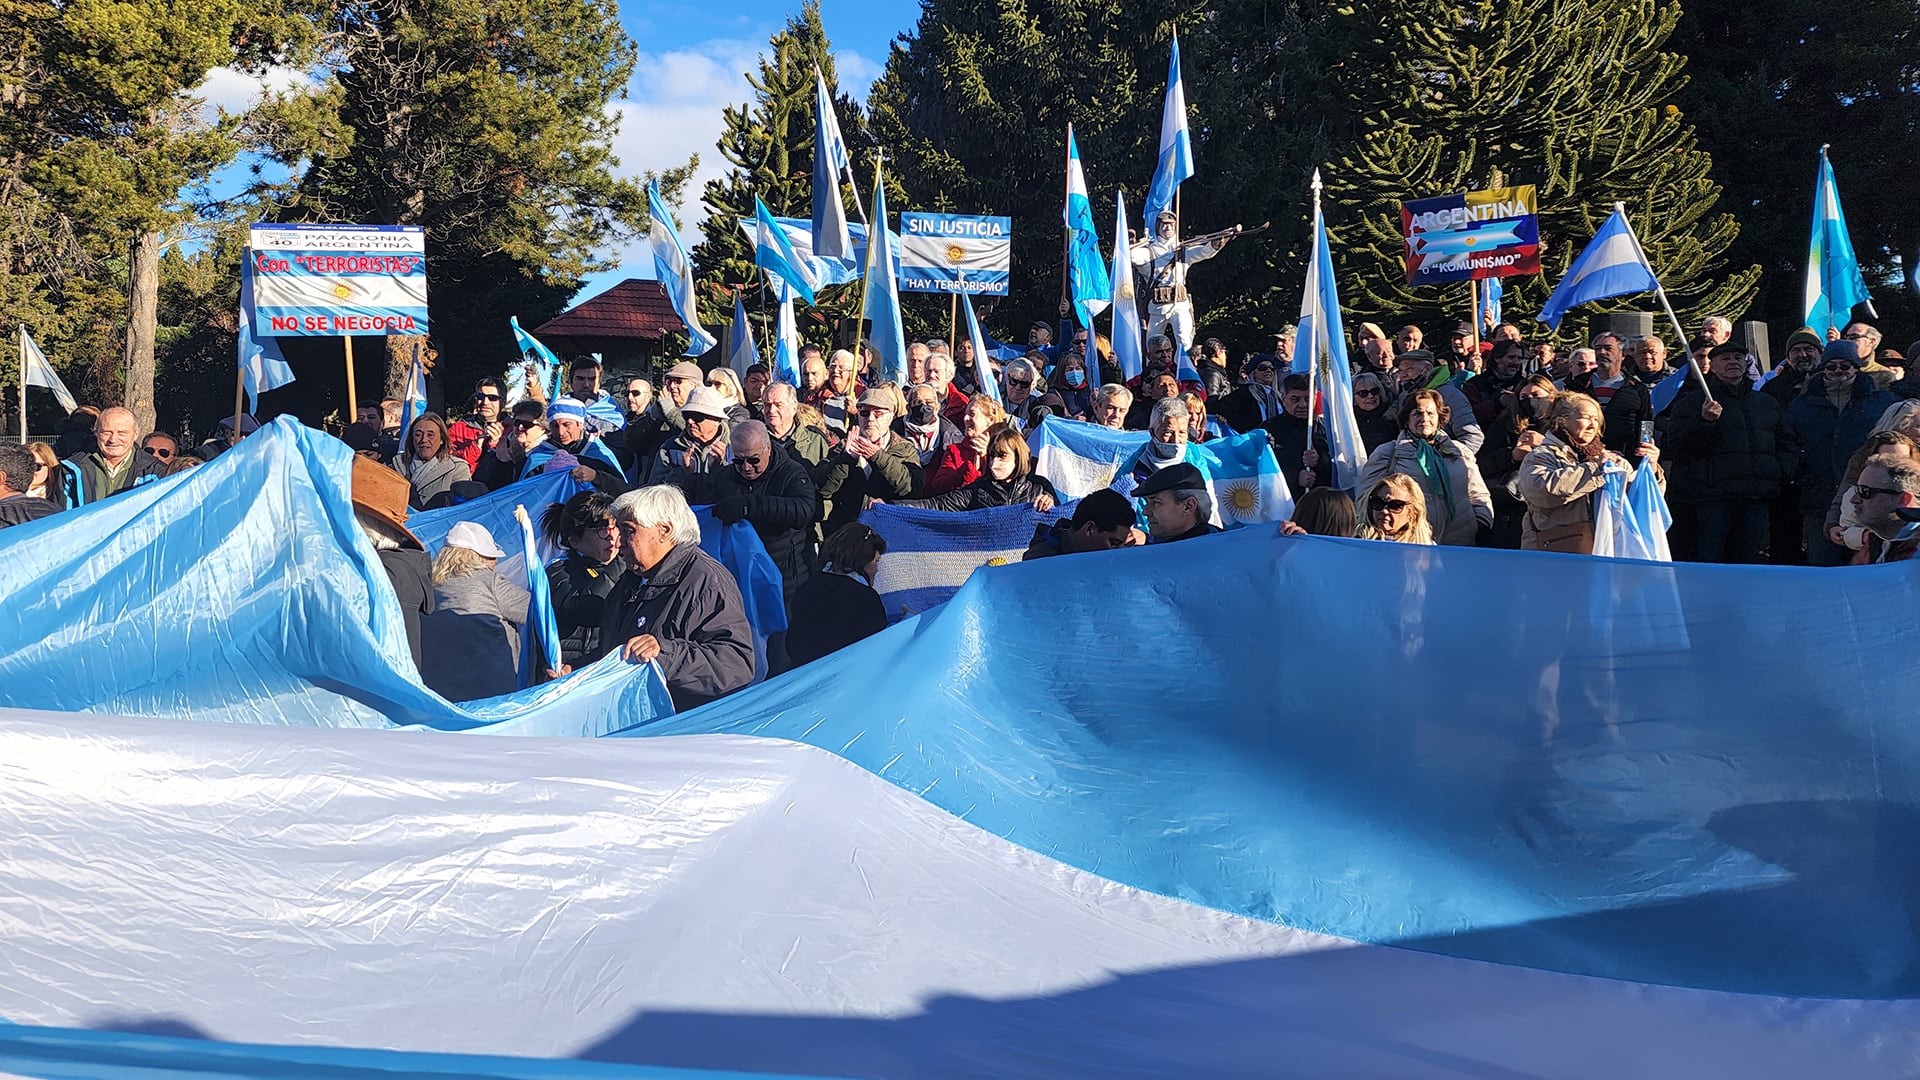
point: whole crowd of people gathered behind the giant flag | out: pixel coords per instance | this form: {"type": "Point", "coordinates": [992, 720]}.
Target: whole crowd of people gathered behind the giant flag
{"type": "Point", "coordinates": [1500, 443]}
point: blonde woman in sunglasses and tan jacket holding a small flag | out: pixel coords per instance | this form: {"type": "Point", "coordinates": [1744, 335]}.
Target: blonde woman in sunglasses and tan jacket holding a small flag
{"type": "Point", "coordinates": [1566, 472]}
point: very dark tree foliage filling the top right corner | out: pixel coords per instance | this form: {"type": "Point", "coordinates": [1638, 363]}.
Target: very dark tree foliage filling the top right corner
{"type": "Point", "coordinates": [1769, 84]}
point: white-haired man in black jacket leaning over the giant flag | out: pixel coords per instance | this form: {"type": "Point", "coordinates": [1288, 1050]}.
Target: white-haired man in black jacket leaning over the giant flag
{"type": "Point", "coordinates": [675, 606]}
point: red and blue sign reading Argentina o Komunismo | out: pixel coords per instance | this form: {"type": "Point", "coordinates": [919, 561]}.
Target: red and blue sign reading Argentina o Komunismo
{"type": "Point", "coordinates": [1474, 235]}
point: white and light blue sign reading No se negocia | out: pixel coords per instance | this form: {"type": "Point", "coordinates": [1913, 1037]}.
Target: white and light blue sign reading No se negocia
{"type": "Point", "coordinates": [339, 280]}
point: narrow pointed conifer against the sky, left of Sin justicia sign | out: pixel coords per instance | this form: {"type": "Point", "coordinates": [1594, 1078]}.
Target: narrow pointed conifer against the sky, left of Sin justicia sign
{"type": "Point", "coordinates": [771, 145]}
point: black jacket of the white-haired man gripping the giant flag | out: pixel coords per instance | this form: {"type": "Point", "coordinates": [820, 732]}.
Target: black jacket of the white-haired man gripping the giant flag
{"type": "Point", "coordinates": [692, 606]}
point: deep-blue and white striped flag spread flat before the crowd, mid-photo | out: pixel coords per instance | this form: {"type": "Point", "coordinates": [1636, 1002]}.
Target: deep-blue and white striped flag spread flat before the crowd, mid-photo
{"type": "Point", "coordinates": [932, 552]}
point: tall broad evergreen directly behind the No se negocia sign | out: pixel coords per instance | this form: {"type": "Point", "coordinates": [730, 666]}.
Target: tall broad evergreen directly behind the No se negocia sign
{"type": "Point", "coordinates": [485, 122]}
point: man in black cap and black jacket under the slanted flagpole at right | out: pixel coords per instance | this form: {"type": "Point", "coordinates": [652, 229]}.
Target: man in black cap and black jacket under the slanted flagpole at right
{"type": "Point", "coordinates": [1729, 460]}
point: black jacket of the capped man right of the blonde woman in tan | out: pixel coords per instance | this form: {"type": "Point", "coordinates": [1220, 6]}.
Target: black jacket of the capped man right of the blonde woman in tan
{"type": "Point", "coordinates": [1746, 454]}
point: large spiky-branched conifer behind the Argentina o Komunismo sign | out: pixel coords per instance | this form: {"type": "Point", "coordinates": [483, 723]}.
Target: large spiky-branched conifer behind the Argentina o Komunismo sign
{"type": "Point", "coordinates": [1573, 97]}
